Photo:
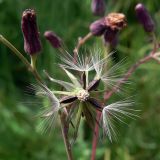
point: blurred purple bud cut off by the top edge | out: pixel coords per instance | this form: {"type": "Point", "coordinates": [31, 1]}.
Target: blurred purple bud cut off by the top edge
{"type": "Point", "coordinates": [98, 7]}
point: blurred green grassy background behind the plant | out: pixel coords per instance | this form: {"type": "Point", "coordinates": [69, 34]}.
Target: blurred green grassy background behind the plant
{"type": "Point", "coordinates": [19, 139]}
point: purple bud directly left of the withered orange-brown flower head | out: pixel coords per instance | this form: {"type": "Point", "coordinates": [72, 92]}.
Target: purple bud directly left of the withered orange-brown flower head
{"type": "Point", "coordinates": [98, 27]}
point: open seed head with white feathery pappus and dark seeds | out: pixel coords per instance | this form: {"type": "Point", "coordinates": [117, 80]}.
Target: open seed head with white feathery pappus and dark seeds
{"type": "Point", "coordinates": [81, 95]}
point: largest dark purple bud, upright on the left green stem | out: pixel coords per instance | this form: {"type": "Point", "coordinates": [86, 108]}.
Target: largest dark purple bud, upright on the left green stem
{"type": "Point", "coordinates": [32, 43]}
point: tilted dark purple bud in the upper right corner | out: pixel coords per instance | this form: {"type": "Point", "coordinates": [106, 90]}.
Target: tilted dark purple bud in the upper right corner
{"type": "Point", "coordinates": [144, 17]}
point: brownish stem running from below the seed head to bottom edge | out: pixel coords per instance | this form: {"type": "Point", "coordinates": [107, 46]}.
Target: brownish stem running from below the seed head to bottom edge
{"type": "Point", "coordinates": [65, 128]}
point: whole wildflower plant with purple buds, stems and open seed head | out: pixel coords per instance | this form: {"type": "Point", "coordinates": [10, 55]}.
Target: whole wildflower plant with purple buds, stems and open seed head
{"type": "Point", "coordinates": [91, 81]}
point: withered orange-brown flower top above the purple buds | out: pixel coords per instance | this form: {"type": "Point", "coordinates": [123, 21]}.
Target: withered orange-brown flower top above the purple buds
{"type": "Point", "coordinates": [116, 21]}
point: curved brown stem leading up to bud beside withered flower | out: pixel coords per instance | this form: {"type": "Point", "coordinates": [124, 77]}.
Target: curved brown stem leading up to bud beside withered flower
{"type": "Point", "coordinates": [81, 41]}
